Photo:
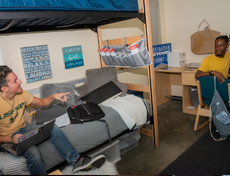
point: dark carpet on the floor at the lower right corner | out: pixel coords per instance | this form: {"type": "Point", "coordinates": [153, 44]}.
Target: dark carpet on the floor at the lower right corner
{"type": "Point", "coordinates": [204, 157]}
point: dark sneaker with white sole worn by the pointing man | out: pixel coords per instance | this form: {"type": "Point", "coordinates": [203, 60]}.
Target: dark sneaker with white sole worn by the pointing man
{"type": "Point", "coordinates": [86, 163]}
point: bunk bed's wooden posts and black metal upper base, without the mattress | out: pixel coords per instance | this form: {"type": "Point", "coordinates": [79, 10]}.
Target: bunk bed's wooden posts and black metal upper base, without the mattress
{"type": "Point", "coordinates": [37, 20]}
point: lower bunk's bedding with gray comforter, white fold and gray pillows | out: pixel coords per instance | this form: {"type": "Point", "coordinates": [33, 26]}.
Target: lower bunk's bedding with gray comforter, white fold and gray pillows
{"type": "Point", "coordinates": [123, 115]}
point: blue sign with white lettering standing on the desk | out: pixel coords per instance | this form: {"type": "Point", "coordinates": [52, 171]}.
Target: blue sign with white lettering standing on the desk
{"type": "Point", "coordinates": [160, 55]}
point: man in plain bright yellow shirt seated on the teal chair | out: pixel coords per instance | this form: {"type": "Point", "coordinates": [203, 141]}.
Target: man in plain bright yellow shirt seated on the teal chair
{"type": "Point", "coordinates": [217, 64]}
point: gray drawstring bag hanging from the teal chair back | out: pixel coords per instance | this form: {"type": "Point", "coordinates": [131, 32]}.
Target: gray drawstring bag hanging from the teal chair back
{"type": "Point", "coordinates": [220, 116]}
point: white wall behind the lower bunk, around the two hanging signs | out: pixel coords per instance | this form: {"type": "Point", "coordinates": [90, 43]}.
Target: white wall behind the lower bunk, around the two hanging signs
{"type": "Point", "coordinates": [10, 46]}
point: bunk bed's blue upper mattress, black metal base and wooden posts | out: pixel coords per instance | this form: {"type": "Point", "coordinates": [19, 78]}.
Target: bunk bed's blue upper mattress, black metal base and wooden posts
{"type": "Point", "coordinates": [15, 18]}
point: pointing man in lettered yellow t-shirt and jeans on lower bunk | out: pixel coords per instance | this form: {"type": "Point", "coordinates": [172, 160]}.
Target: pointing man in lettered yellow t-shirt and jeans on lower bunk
{"type": "Point", "coordinates": [13, 100]}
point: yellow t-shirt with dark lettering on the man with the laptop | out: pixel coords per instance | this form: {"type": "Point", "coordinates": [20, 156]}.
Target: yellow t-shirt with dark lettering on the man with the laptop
{"type": "Point", "coordinates": [13, 120]}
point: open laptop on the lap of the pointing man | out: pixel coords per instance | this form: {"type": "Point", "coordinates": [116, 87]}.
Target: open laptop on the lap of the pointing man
{"type": "Point", "coordinates": [30, 138]}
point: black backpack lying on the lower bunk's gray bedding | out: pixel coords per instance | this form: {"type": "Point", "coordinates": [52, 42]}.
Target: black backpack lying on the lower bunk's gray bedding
{"type": "Point", "coordinates": [86, 113]}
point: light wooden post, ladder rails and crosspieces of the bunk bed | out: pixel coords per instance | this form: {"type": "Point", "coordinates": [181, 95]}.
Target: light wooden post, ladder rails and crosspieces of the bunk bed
{"type": "Point", "coordinates": [150, 88]}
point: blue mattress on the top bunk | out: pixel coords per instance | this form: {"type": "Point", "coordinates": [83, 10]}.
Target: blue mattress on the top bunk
{"type": "Point", "coordinates": [84, 5]}
